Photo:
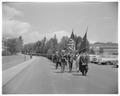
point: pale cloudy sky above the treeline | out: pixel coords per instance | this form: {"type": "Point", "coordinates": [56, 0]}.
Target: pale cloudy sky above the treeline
{"type": "Point", "coordinates": [33, 21]}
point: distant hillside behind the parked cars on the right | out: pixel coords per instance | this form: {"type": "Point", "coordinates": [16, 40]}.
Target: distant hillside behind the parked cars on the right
{"type": "Point", "coordinates": [108, 48]}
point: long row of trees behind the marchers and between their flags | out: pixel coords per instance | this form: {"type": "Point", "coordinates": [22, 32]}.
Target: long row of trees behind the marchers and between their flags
{"type": "Point", "coordinates": [50, 46]}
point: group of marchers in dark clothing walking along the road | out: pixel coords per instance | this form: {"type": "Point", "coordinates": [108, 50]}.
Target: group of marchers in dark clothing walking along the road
{"type": "Point", "coordinates": [64, 59]}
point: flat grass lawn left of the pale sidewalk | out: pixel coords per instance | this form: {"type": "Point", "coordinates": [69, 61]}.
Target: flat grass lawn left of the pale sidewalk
{"type": "Point", "coordinates": [10, 61]}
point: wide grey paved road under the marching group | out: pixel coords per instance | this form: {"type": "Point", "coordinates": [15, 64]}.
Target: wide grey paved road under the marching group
{"type": "Point", "coordinates": [40, 77]}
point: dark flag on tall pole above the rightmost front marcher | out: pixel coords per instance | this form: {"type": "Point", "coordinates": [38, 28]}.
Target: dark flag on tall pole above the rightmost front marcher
{"type": "Point", "coordinates": [85, 43]}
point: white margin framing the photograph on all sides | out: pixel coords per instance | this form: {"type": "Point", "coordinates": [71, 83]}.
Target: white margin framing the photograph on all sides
{"type": "Point", "coordinates": [58, 1]}
